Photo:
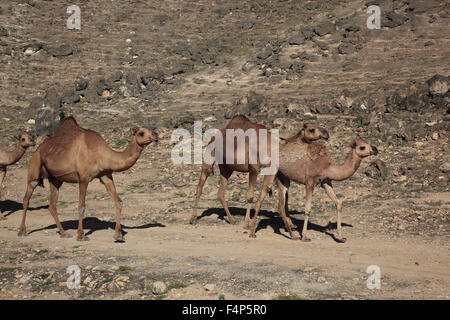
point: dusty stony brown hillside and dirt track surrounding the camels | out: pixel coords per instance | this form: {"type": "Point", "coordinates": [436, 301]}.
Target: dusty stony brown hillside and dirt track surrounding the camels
{"type": "Point", "coordinates": [395, 219]}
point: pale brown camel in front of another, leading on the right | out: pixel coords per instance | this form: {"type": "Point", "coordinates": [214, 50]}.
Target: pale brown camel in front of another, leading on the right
{"type": "Point", "coordinates": [311, 165]}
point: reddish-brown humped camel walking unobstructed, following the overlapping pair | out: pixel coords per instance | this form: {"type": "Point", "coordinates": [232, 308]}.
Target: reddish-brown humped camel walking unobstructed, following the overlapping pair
{"type": "Point", "coordinates": [77, 155]}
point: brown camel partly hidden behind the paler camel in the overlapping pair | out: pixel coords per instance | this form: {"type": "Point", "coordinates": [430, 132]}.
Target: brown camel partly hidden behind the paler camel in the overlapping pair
{"type": "Point", "coordinates": [310, 132]}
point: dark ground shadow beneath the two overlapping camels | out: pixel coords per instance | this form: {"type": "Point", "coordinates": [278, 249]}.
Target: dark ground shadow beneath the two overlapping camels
{"type": "Point", "coordinates": [273, 220]}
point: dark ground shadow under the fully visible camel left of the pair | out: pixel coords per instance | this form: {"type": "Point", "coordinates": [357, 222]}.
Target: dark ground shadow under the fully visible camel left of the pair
{"type": "Point", "coordinates": [94, 224]}
